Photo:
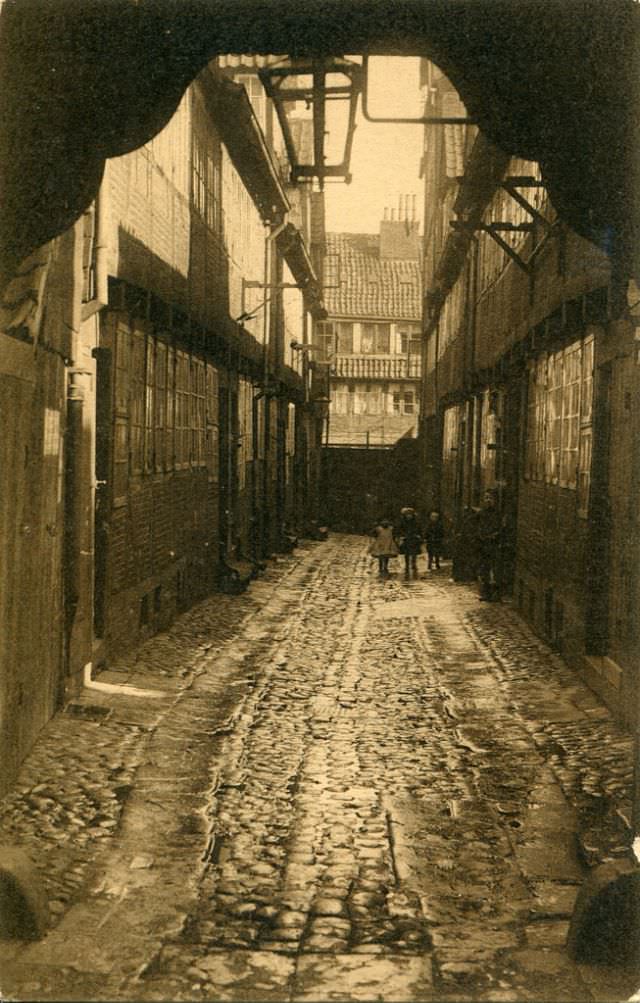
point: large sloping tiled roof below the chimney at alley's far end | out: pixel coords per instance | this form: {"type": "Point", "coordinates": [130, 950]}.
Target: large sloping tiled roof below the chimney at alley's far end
{"type": "Point", "coordinates": [368, 286]}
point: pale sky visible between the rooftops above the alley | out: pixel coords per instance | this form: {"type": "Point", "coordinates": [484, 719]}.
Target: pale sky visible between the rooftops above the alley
{"type": "Point", "coordinates": [386, 159]}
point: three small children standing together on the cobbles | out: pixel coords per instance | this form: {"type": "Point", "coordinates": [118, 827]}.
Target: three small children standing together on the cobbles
{"type": "Point", "coordinates": [407, 538]}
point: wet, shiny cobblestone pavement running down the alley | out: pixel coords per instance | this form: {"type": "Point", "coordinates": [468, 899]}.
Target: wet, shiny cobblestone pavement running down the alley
{"type": "Point", "coordinates": [337, 788]}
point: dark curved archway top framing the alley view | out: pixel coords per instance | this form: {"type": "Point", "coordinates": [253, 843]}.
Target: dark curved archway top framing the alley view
{"type": "Point", "coordinates": [551, 81]}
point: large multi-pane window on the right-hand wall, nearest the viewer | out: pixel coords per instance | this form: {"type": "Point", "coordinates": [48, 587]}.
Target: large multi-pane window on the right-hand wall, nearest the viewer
{"type": "Point", "coordinates": [559, 420]}
